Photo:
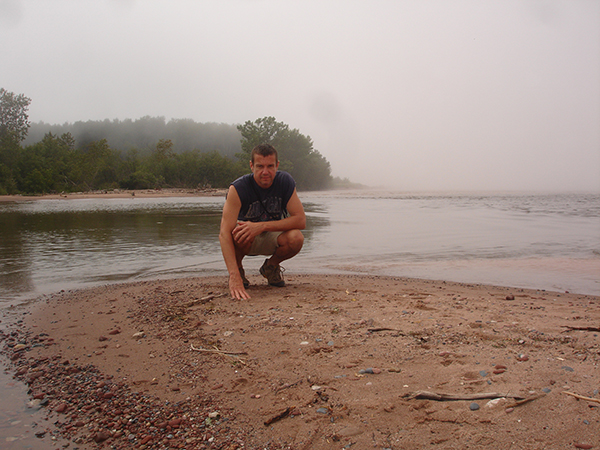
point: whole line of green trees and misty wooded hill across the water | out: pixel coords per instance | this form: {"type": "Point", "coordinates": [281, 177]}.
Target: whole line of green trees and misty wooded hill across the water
{"type": "Point", "coordinates": [148, 153]}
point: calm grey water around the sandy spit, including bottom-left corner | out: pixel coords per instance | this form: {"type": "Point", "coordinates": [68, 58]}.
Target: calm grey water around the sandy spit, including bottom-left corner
{"type": "Point", "coordinates": [549, 242]}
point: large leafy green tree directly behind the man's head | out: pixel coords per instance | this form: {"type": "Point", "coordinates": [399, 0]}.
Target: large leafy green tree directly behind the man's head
{"type": "Point", "coordinates": [296, 152]}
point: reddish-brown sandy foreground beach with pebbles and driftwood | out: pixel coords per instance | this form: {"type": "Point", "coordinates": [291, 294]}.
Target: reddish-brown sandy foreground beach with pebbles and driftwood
{"type": "Point", "coordinates": [328, 362]}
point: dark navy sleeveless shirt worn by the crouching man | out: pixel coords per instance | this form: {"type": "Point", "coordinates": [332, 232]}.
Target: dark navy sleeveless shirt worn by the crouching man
{"type": "Point", "coordinates": [262, 205]}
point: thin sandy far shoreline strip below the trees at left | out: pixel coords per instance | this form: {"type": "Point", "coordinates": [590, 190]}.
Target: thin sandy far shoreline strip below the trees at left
{"type": "Point", "coordinates": [118, 193]}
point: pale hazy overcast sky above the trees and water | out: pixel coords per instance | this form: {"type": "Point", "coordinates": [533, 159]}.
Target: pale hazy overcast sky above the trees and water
{"type": "Point", "coordinates": [410, 94]}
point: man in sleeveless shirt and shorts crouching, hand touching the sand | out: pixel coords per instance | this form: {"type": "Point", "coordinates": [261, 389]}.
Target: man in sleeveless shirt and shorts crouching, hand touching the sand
{"type": "Point", "coordinates": [262, 215]}
